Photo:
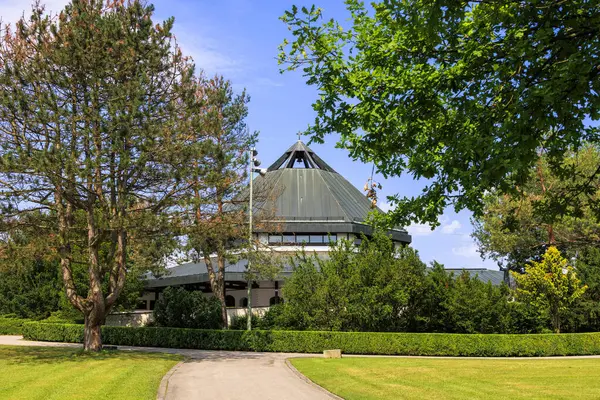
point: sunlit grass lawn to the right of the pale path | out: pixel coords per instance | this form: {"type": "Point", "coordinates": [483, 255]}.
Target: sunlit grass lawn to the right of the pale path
{"type": "Point", "coordinates": [428, 378]}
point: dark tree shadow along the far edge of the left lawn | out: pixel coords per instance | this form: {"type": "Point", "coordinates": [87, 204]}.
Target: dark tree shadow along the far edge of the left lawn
{"type": "Point", "coordinates": [53, 355]}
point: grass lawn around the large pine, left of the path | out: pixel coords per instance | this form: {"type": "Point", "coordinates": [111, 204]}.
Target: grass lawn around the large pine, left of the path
{"type": "Point", "coordinates": [63, 373]}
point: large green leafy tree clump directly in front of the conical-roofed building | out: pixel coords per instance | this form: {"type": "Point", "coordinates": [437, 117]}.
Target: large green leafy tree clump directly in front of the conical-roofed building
{"type": "Point", "coordinates": [367, 288]}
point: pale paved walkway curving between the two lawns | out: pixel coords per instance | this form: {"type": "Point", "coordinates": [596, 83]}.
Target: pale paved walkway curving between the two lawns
{"type": "Point", "coordinates": [222, 374]}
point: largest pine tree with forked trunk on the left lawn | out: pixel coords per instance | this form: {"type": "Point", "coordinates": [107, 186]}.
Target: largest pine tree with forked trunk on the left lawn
{"type": "Point", "coordinates": [91, 104]}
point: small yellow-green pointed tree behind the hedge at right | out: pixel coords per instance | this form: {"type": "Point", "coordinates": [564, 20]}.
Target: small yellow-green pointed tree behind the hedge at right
{"type": "Point", "coordinates": [550, 284]}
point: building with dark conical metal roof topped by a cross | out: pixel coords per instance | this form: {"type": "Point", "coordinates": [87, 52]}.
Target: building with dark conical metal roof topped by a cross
{"type": "Point", "coordinates": [312, 204]}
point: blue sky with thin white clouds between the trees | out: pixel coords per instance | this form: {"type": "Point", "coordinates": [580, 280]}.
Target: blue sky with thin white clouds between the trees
{"type": "Point", "coordinates": [238, 39]}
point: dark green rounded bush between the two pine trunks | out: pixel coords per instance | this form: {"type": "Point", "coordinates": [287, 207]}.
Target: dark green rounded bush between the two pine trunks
{"type": "Point", "coordinates": [179, 308]}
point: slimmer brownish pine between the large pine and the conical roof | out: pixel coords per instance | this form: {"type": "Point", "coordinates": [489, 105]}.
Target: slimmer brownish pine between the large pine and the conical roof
{"type": "Point", "coordinates": [217, 226]}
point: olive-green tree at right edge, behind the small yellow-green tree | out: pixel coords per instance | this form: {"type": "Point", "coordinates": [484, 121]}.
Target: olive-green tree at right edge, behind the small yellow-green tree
{"type": "Point", "coordinates": [514, 229]}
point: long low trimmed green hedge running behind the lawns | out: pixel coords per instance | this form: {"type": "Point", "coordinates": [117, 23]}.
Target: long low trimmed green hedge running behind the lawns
{"type": "Point", "coordinates": [416, 344]}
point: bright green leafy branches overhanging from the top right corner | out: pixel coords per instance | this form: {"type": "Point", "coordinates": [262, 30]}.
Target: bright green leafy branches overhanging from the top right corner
{"type": "Point", "coordinates": [462, 93]}
